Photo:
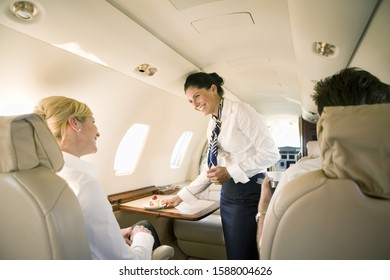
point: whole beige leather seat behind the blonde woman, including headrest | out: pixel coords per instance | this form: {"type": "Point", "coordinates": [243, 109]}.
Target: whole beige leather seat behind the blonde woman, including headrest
{"type": "Point", "coordinates": [40, 216]}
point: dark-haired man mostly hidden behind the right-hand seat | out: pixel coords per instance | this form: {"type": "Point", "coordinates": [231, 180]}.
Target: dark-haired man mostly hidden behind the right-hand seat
{"type": "Point", "coordinates": [351, 86]}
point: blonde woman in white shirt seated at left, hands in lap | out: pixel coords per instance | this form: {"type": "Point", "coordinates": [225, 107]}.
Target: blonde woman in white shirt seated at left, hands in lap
{"type": "Point", "coordinates": [73, 125]}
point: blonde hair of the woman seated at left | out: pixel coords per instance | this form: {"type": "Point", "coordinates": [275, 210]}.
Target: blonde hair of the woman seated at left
{"type": "Point", "coordinates": [56, 110]}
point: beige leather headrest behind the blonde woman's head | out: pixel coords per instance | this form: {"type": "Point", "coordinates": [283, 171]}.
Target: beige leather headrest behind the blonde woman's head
{"type": "Point", "coordinates": [26, 142]}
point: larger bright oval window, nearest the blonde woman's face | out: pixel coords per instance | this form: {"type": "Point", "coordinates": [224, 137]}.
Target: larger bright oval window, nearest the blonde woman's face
{"type": "Point", "coordinates": [130, 149]}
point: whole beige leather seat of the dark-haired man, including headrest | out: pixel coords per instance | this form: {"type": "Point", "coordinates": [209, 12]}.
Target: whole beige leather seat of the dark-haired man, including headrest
{"type": "Point", "coordinates": [343, 210]}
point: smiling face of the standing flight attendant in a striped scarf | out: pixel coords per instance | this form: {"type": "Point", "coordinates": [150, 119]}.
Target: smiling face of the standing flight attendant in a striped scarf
{"type": "Point", "coordinates": [204, 100]}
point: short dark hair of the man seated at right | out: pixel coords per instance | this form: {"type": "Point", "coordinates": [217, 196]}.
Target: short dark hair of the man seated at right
{"type": "Point", "coordinates": [350, 86]}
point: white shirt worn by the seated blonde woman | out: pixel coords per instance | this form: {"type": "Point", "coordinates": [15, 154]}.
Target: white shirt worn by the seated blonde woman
{"type": "Point", "coordinates": [104, 234]}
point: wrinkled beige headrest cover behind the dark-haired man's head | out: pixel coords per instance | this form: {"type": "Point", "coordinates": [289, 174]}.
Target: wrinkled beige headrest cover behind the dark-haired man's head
{"type": "Point", "coordinates": [355, 144]}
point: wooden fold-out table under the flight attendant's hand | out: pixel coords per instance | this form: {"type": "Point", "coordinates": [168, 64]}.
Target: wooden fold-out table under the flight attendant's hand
{"type": "Point", "coordinates": [183, 211]}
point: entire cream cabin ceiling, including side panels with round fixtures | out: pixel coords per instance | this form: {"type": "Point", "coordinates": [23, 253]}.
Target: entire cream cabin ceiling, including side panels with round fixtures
{"type": "Point", "coordinates": [263, 49]}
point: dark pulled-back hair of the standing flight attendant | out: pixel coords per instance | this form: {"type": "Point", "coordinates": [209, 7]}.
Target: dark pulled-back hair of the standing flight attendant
{"type": "Point", "coordinates": [204, 80]}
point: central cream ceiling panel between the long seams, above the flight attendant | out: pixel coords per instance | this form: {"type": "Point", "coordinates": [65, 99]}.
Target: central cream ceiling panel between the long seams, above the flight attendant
{"type": "Point", "coordinates": [248, 43]}
